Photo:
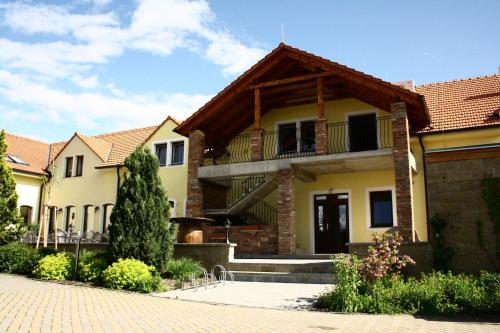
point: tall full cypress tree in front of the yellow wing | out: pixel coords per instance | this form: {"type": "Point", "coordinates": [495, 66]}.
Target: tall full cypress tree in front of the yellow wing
{"type": "Point", "coordinates": [140, 218]}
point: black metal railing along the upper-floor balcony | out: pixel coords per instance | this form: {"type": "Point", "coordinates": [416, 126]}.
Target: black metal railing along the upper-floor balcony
{"type": "Point", "coordinates": [342, 137]}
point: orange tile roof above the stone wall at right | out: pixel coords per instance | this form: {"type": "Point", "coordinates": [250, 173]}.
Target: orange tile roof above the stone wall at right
{"type": "Point", "coordinates": [462, 104]}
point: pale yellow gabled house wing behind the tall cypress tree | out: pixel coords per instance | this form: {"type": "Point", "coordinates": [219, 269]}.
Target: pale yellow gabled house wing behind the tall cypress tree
{"type": "Point", "coordinates": [86, 173]}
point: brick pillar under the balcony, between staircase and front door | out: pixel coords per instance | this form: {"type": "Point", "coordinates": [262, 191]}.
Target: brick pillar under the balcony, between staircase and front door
{"type": "Point", "coordinates": [286, 211]}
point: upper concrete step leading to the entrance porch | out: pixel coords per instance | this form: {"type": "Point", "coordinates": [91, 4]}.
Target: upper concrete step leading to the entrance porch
{"type": "Point", "coordinates": [281, 266]}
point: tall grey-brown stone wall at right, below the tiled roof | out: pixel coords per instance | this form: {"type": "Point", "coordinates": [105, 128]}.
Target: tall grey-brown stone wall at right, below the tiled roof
{"type": "Point", "coordinates": [454, 189]}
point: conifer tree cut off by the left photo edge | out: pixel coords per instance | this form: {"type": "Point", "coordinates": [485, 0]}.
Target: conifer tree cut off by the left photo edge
{"type": "Point", "coordinates": [10, 219]}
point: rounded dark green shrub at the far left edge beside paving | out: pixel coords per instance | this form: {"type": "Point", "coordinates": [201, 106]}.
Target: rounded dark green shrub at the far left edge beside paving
{"type": "Point", "coordinates": [18, 258]}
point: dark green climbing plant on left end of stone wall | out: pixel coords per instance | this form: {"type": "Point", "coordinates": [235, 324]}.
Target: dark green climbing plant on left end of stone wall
{"type": "Point", "coordinates": [442, 253]}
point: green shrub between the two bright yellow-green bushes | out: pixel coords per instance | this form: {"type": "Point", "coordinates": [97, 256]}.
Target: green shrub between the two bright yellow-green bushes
{"type": "Point", "coordinates": [91, 265]}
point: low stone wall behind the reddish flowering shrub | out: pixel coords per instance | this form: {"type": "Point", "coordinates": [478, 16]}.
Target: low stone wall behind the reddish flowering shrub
{"type": "Point", "coordinates": [421, 252]}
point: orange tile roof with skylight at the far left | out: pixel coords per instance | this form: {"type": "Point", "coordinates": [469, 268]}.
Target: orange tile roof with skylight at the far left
{"type": "Point", "coordinates": [33, 152]}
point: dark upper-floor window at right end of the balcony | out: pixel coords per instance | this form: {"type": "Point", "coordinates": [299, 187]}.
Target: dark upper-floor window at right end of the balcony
{"type": "Point", "coordinates": [363, 132]}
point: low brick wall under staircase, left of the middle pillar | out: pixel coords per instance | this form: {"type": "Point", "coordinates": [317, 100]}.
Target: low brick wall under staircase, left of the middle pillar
{"type": "Point", "coordinates": [258, 239]}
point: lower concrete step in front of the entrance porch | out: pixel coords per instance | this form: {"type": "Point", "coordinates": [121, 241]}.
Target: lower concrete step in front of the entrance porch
{"type": "Point", "coordinates": [283, 277]}
